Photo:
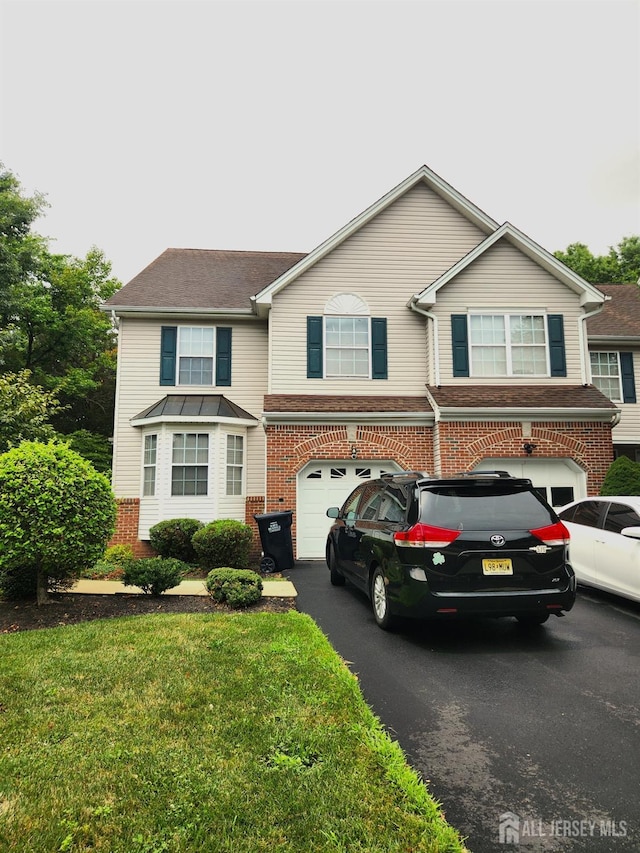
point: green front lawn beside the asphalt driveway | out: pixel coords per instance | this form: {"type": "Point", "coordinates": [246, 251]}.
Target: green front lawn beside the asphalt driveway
{"type": "Point", "coordinates": [187, 732]}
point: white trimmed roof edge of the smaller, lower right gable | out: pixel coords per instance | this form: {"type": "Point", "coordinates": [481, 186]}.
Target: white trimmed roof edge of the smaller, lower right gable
{"type": "Point", "coordinates": [590, 297]}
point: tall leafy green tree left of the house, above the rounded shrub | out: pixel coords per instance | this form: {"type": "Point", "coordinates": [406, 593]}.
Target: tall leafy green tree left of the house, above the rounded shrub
{"type": "Point", "coordinates": [50, 322]}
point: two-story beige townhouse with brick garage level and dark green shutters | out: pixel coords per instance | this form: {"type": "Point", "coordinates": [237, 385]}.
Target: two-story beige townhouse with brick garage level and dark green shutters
{"type": "Point", "coordinates": [422, 335]}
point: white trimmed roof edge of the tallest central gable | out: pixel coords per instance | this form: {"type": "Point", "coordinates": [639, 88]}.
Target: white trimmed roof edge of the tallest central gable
{"type": "Point", "coordinates": [424, 175]}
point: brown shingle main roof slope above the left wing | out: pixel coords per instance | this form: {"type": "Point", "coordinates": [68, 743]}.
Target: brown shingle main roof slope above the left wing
{"type": "Point", "coordinates": [203, 278]}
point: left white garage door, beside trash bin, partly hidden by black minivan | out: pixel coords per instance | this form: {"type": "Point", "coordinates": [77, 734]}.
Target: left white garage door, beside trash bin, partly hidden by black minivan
{"type": "Point", "coordinates": [322, 484]}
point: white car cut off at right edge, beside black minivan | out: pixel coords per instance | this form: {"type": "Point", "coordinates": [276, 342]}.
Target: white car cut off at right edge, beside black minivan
{"type": "Point", "coordinates": [604, 548]}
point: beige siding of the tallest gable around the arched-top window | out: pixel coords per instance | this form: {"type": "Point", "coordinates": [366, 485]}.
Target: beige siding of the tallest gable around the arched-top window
{"type": "Point", "coordinates": [385, 263]}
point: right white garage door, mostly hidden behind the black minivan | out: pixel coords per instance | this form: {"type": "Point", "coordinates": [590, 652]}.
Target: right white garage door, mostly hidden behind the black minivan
{"type": "Point", "coordinates": [559, 480]}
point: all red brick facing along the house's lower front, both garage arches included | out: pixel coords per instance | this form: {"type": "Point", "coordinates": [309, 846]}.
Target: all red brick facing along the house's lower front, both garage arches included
{"type": "Point", "coordinates": [448, 448]}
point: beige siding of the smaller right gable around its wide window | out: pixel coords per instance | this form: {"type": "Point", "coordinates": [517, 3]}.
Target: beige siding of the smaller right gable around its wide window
{"type": "Point", "coordinates": [506, 281]}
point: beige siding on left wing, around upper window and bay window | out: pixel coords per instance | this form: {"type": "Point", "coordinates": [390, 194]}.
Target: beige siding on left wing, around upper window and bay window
{"type": "Point", "coordinates": [139, 387]}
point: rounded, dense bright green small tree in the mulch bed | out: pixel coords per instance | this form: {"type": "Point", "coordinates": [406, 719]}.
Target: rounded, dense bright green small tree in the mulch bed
{"type": "Point", "coordinates": [56, 514]}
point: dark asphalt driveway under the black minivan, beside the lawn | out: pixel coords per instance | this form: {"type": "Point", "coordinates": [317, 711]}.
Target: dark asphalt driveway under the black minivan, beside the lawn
{"type": "Point", "coordinates": [530, 738]}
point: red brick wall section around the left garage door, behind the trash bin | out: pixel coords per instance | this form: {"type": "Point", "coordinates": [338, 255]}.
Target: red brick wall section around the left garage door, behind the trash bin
{"type": "Point", "coordinates": [290, 448]}
